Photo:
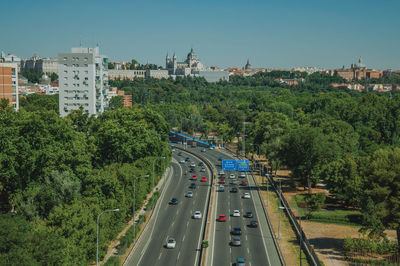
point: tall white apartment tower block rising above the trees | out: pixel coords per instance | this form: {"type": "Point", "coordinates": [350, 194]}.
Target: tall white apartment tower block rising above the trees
{"type": "Point", "coordinates": [83, 81]}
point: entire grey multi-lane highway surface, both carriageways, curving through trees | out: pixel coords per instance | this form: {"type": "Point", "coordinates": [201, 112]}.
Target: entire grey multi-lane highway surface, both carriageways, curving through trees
{"type": "Point", "coordinates": [257, 245]}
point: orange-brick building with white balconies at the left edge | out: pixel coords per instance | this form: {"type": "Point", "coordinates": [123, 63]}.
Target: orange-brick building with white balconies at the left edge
{"type": "Point", "coordinates": [9, 83]}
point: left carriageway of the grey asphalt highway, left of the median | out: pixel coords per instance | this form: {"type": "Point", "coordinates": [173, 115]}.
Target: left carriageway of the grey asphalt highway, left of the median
{"type": "Point", "coordinates": [175, 220]}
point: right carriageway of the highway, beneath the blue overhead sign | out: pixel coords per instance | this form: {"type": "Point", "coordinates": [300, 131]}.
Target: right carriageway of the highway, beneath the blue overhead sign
{"type": "Point", "coordinates": [257, 245]}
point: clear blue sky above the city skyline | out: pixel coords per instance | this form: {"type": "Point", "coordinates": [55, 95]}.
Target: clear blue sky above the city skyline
{"type": "Point", "coordinates": [272, 34]}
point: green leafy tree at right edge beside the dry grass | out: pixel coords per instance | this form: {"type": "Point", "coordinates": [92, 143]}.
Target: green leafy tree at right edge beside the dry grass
{"type": "Point", "coordinates": [383, 189]}
